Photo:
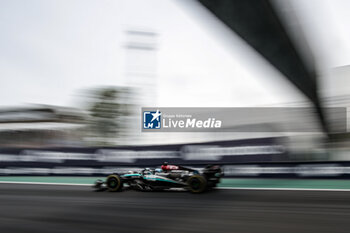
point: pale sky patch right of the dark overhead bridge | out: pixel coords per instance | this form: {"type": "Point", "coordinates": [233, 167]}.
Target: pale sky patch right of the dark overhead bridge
{"type": "Point", "coordinates": [326, 26]}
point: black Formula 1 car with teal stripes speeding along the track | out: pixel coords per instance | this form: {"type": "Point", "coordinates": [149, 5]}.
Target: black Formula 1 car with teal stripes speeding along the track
{"type": "Point", "coordinates": [166, 177]}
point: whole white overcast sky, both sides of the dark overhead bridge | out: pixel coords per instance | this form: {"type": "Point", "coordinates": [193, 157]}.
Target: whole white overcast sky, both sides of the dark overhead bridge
{"type": "Point", "coordinates": [51, 51]}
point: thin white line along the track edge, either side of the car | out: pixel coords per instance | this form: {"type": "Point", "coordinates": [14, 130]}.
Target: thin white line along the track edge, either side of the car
{"type": "Point", "coordinates": [227, 188]}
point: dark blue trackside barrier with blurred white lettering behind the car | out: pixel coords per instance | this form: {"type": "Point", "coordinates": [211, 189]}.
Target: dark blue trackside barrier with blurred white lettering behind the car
{"type": "Point", "coordinates": [266, 157]}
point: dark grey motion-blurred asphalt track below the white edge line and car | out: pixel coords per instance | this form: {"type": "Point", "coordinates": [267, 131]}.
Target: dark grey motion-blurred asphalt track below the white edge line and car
{"type": "Point", "coordinates": [55, 208]}
